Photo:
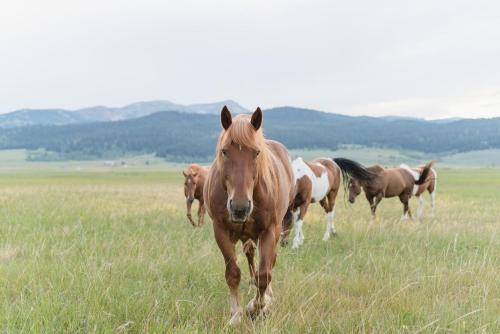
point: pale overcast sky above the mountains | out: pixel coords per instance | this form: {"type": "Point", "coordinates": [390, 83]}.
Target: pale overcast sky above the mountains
{"type": "Point", "coordinates": [431, 59]}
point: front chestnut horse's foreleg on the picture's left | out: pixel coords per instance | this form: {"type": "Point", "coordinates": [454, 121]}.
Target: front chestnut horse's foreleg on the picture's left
{"type": "Point", "coordinates": [233, 272]}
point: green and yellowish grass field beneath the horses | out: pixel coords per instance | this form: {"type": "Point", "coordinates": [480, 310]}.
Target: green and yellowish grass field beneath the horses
{"type": "Point", "coordinates": [111, 251]}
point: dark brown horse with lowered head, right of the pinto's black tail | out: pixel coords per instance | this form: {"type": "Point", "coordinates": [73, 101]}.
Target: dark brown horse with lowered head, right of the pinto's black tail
{"type": "Point", "coordinates": [387, 183]}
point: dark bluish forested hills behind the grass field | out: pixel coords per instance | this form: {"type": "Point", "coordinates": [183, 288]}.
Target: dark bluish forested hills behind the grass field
{"type": "Point", "coordinates": [185, 136]}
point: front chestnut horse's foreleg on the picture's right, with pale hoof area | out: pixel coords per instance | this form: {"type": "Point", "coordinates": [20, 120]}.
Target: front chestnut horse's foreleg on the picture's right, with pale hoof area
{"type": "Point", "coordinates": [259, 305]}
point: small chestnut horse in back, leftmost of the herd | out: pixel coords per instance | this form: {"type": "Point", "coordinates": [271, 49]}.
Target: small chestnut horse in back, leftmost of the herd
{"type": "Point", "coordinates": [194, 179]}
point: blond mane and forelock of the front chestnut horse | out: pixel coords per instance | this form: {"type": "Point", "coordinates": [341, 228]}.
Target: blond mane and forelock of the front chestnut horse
{"type": "Point", "coordinates": [242, 132]}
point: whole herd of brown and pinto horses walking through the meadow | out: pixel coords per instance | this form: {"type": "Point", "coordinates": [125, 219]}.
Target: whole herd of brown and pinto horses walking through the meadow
{"type": "Point", "coordinates": [255, 194]}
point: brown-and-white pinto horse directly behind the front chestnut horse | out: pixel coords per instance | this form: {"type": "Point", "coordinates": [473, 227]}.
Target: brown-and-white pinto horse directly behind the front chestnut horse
{"type": "Point", "coordinates": [316, 181]}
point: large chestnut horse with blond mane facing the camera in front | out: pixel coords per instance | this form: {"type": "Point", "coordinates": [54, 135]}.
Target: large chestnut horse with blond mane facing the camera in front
{"type": "Point", "coordinates": [248, 191]}
